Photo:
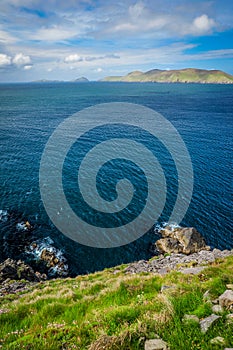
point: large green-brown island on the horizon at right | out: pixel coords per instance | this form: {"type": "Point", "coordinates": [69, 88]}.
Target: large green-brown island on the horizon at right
{"type": "Point", "coordinates": [187, 75]}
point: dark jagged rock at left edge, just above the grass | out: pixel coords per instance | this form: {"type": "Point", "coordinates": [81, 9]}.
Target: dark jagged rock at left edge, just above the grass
{"type": "Point", "coordinates": [18, 270]}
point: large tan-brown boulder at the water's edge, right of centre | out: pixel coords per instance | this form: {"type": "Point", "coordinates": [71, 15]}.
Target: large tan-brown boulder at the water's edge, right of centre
{"type": "Point", "coordinates": [185, 240]}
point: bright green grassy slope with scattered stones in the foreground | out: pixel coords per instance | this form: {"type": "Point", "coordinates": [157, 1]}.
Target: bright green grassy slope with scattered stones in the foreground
{"type": "Point", "coordinates": [120, 310]}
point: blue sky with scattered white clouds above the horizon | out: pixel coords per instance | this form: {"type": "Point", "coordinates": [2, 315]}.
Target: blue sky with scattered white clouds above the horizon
{"type": "Point", "coordinates": [67, 39]}
